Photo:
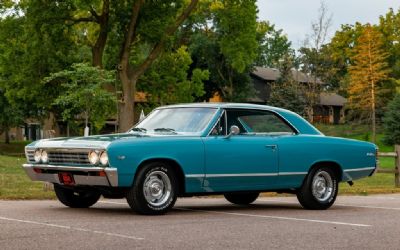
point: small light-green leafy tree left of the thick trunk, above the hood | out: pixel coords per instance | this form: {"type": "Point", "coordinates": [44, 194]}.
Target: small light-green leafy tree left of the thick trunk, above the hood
{"type": "Point", "coordinates": [85, 94]}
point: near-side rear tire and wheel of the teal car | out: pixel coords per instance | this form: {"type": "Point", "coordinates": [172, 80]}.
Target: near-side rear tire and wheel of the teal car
{"type": "Point", "coordinates": [314, 194]}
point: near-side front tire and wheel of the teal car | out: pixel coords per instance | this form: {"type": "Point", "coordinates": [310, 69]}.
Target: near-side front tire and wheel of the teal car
{"type": "Point", "coordinates": [155, 201]}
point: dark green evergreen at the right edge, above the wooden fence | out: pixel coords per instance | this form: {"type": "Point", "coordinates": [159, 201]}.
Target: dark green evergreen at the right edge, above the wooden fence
{"type": "Point", "coordinates": [391, 122]}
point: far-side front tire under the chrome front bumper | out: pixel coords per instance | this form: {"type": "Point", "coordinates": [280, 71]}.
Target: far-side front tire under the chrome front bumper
{"type": "Point", "coordinates": [76, 199]}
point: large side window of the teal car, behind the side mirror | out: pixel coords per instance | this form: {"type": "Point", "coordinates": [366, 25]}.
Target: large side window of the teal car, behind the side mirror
{"type": "Point", "coordinates": [257, 122]}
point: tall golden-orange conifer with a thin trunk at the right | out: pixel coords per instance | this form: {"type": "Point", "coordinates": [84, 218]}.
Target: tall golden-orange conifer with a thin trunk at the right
{"type": "Point", "coordinates": [367, 73]}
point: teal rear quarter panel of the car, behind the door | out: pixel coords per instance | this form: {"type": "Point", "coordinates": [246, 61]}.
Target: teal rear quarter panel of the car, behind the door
{"type": "Point", "coordinates": [298, 153]}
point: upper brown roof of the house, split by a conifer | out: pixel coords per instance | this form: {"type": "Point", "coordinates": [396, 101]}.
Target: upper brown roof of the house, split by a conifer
{"type": "Point", "coordinates": [272, 74]}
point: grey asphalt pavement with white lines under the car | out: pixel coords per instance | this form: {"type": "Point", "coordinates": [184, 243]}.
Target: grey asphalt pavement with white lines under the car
{"type": "Point", "coordinates": [354, 222]}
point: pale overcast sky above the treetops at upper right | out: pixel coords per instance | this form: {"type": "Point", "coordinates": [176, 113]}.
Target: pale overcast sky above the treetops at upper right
{"type": "Point", "coordinates": [294, 17]}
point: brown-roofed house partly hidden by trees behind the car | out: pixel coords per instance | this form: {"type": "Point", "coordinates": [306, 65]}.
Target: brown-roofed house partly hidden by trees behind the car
{"type": "Point", "coordinates": [329, 109]}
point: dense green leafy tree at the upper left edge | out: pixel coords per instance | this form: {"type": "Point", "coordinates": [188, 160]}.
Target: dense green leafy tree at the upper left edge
{"type": "Point", "coordinates": [30, 49]}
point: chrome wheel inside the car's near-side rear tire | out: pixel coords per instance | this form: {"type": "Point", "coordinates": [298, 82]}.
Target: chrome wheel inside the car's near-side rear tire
{"type": "Point", "coordinates": [322, 186]}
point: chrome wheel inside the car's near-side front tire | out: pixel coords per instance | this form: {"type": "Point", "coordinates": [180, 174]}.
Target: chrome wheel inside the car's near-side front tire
{"type": "Point", "coordinates": [157, 188]}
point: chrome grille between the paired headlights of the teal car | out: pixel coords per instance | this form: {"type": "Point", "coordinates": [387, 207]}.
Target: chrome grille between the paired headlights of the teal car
{"type": "Point", "coordinates": [68, 157]}
